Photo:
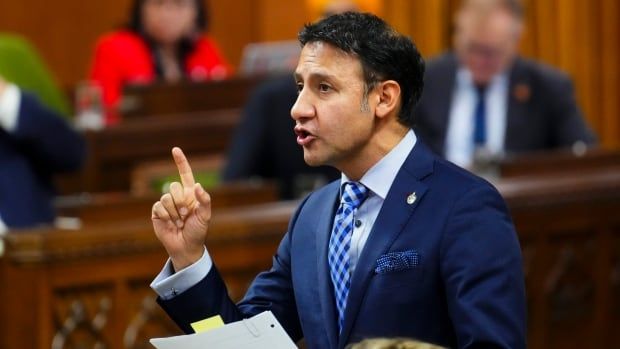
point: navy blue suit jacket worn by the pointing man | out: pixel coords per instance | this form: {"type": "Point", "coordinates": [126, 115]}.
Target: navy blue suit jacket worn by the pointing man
{"type": "Point", "coordinates": [466, 291]}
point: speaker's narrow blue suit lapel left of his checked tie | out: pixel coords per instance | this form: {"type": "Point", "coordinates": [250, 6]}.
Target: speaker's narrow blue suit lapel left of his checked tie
{"type": "Point", "coordinates": [326, 293]}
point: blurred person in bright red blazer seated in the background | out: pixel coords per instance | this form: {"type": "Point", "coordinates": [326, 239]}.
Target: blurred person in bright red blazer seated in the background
{"type": "Point", "coordinates": [164, 41]}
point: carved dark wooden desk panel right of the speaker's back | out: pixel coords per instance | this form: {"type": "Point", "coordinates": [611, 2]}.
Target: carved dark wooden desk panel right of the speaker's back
{"type": "Point", "coordinates": [569, 228]}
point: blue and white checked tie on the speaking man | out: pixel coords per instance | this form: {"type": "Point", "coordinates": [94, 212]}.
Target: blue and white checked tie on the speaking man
{"type": "Point", "coordinates": [353, 194]}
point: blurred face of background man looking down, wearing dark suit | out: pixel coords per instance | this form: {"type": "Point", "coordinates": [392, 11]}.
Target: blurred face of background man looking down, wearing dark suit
{"type": "Point", "coordinates": [487, 44]}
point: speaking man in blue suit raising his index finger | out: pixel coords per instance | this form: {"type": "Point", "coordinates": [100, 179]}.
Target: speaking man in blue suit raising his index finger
{"type": "Point", "coordinates": [404, 245]}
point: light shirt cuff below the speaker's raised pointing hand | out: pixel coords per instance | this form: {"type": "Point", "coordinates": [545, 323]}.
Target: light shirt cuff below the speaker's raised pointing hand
{"type": "Point", "coordinates": [169, 284]}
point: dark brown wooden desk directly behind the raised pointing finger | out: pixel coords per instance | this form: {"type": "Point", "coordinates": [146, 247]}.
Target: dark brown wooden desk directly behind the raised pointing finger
{"type": "Point", "coordinates": [114, 152]}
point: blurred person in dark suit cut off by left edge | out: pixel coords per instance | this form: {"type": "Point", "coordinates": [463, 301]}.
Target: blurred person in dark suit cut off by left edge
{"type": "Point", "coordinates": [35, 144]}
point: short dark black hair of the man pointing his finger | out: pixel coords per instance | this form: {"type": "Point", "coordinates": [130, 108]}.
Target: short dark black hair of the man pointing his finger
{"type": "Point", "coordinates": [384, 53]}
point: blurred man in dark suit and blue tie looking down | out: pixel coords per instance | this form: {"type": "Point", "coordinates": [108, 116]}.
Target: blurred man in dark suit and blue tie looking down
{"type": "Point", "coordinates": [483, 102]}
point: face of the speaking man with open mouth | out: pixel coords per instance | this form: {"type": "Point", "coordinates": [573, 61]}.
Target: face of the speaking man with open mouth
{"type": "Point", "coordinates": [334, 120]}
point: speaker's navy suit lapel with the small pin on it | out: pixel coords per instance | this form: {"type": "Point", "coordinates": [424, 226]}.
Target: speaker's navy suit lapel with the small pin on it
{"type": "Point", "coordinates": [392, 218]}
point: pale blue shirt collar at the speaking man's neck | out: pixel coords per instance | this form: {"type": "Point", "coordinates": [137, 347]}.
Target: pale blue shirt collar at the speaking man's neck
{"type": "Point", "coordinates": [379, 177]}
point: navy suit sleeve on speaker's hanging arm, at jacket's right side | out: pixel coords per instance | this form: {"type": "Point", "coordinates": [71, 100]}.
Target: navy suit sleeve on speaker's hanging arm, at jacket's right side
{"type": "Point", "coordinates": [482, 270]}
